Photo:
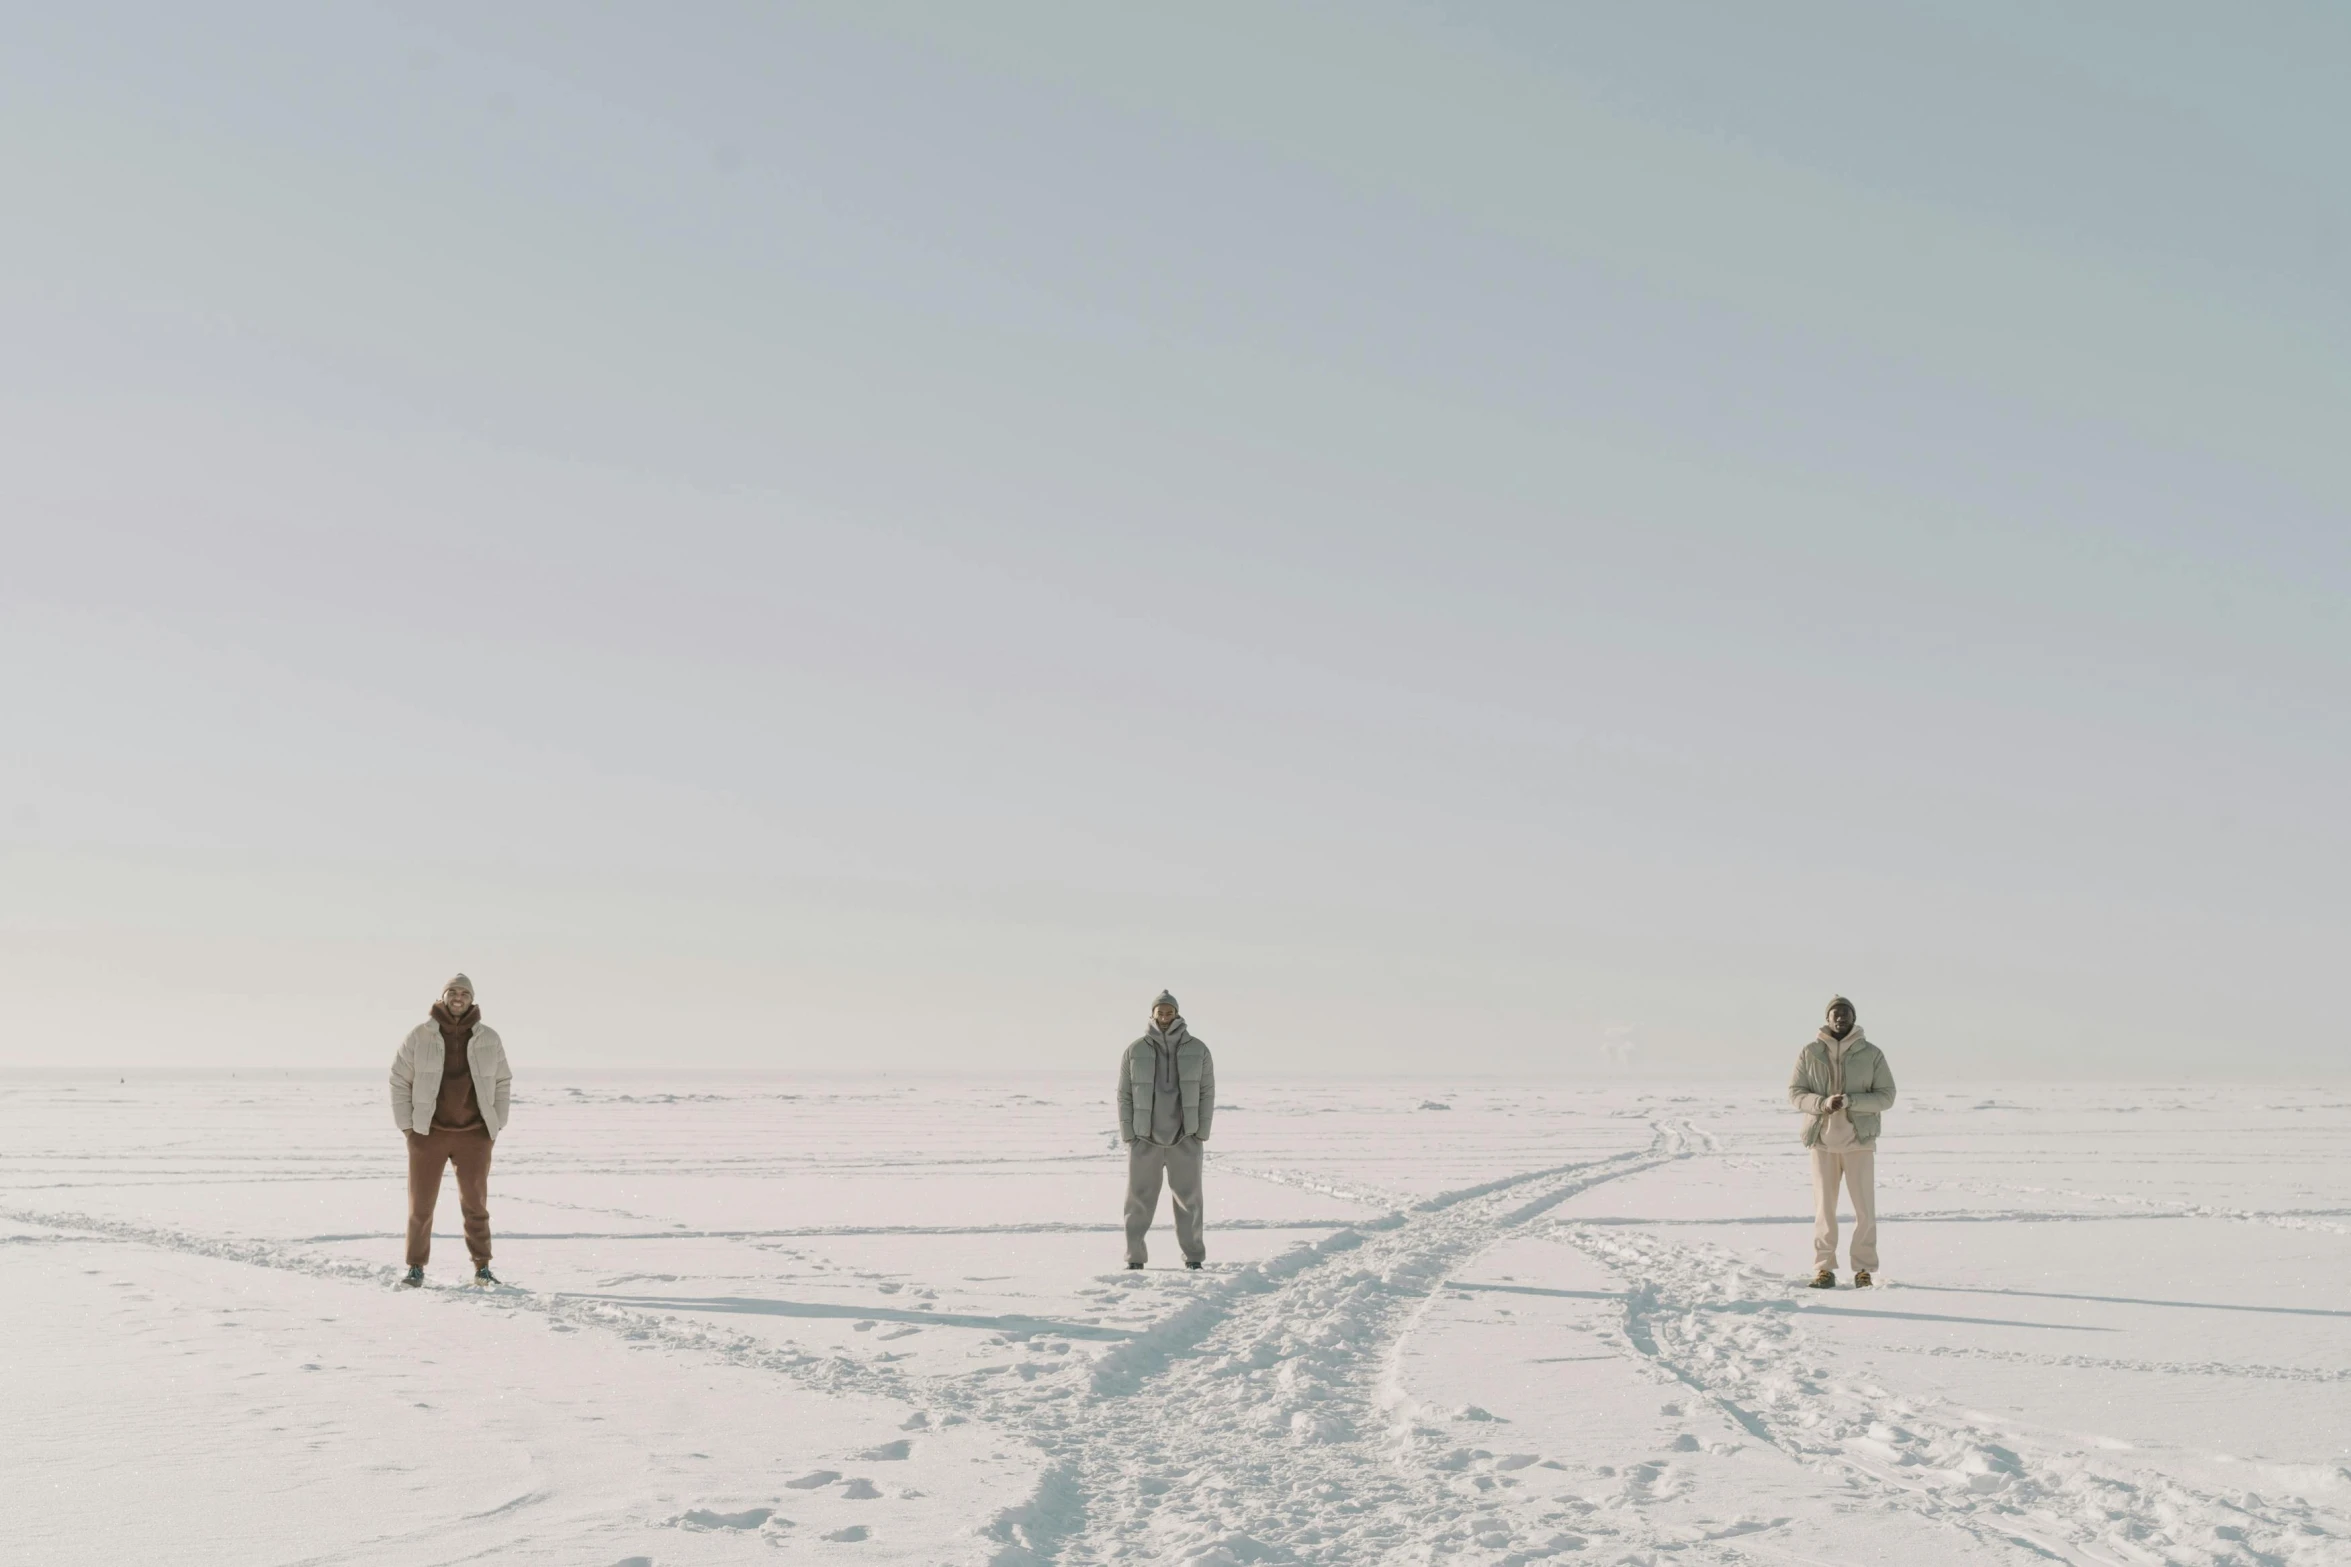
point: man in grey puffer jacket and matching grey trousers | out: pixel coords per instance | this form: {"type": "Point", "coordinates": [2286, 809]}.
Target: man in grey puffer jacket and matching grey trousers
{"type": "Point", "coordinates": [1167, 1101]}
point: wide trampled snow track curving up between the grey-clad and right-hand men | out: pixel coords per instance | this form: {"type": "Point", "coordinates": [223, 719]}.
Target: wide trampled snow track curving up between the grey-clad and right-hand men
{"type": "Point", "coordinates": [1264, 1423]}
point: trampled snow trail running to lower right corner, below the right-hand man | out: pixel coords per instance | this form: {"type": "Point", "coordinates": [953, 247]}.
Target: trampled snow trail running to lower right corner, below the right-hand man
{"type": "Point", "coordinates": [1734, 1333]}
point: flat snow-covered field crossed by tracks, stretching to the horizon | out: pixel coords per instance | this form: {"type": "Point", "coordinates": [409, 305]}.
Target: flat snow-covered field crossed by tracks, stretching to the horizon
{"type": "Point", "coordinates": [883, 1321]}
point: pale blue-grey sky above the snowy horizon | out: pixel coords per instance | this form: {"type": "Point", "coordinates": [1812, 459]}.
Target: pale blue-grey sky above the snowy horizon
{"type": "Point", "coordinates": [1449, 534]}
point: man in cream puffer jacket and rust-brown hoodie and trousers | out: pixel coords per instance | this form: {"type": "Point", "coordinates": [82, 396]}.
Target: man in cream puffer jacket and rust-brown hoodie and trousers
{"type": "Point", "coordinates": [450, 1098]}
